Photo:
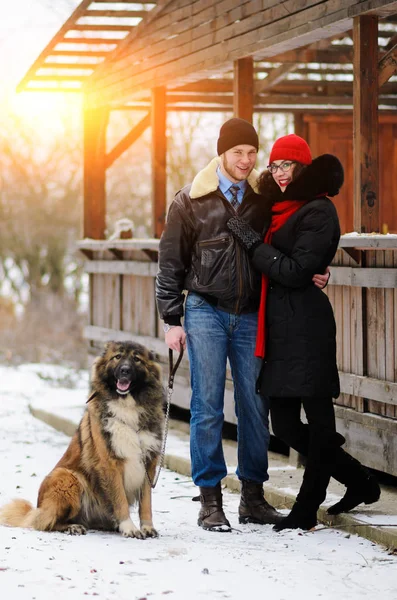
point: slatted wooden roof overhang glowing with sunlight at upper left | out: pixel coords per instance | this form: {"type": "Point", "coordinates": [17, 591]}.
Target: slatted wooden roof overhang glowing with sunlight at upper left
{"type": "Point", "coordinates": [302, 51]}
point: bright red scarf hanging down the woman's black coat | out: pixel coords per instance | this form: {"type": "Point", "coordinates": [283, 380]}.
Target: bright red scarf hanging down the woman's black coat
{"type": "Point", "coordinates": [281, 212]}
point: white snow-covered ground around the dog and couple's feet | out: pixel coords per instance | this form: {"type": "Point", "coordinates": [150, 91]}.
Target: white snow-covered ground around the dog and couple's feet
{"type": "Point", "coordinates": [184, 563]}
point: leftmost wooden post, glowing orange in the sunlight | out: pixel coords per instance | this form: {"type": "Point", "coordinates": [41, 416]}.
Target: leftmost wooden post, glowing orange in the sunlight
{"type": "Point", "coordinates": [95, 124]}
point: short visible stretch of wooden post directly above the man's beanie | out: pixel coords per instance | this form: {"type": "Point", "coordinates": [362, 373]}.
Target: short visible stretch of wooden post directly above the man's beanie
{"type": "Point", "coordinates": [243, 88]}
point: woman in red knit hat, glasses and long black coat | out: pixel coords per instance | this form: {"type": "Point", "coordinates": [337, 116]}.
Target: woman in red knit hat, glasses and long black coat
{"type": "Point", "coordinates": [296, 330]}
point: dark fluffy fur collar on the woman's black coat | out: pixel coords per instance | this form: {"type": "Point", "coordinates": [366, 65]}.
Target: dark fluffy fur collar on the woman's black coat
{"type": "Point", "coordinates": [324, 177]}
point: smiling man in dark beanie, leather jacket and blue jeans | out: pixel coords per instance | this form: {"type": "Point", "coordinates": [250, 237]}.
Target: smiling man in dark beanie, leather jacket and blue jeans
{"type": "Point", "coordinates": [198, 254]}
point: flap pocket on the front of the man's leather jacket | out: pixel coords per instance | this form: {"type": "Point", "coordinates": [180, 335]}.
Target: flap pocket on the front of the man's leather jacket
{"type": "Point", "coordinates": [213, 264]}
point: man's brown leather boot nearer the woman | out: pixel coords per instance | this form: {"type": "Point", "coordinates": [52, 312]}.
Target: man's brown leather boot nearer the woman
{"type": "Point", "coordinates": [253, 506]}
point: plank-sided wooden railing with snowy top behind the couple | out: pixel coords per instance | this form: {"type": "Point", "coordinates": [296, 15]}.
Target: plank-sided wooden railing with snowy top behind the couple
{"type": "Point", "coordinates": [363, 292]}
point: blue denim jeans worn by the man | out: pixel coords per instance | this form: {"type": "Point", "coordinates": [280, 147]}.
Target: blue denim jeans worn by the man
{"type": "Point", "coordinates": [212, 337]}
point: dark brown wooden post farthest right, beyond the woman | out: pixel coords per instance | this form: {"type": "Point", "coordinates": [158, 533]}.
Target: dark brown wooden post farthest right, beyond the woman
{"type": "Point", "coordinates": [365, 124]}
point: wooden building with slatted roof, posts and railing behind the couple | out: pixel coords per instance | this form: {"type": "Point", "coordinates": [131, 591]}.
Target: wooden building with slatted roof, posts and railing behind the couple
{"type": "Point", "coordinates": [332, 63]}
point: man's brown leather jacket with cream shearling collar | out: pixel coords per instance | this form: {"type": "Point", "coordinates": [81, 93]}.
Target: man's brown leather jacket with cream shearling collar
{"type": "Point", "coordinates": [198, 252]}
